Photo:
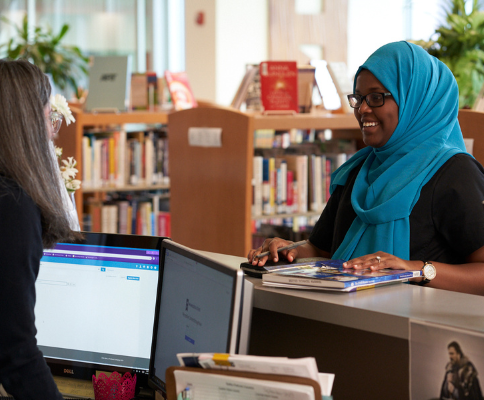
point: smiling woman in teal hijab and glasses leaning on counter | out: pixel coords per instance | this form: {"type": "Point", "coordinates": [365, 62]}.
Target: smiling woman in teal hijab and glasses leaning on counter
{"type": "Point", "coordinates": [413, 196]}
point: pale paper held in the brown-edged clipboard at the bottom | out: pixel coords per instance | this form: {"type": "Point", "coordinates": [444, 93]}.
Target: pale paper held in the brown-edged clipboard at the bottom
{"type": "Point", "coordinates": [214, 387]}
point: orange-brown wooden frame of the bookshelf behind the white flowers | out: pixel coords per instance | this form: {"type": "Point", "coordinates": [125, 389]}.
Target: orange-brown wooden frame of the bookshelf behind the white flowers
{"type": "Point", "coordinates": [70, 139]}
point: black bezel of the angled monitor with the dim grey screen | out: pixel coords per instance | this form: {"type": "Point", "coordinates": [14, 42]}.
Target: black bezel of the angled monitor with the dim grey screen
{"type": "Point", "coordinates": [236, 316]}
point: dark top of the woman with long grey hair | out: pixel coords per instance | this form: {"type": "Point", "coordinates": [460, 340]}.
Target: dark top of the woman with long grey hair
{"type": "Point", "coordinates": [23, 371]}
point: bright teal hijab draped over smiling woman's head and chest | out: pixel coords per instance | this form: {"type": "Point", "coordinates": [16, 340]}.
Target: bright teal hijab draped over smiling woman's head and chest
{"type": "Point", "coordinates": [391, 177]}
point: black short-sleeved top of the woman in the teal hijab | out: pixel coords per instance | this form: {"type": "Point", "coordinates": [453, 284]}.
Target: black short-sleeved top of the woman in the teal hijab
{"type": "Point", "coordinates": [446, 223]}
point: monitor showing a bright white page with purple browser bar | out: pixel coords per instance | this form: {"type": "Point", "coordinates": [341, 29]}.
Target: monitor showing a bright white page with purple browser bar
{"type": "Point", "coordinates": [95, 305]}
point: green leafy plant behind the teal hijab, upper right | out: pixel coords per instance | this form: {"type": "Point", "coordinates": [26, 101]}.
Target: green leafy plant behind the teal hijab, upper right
{"type": "Point", "coordinates": [459, 43]}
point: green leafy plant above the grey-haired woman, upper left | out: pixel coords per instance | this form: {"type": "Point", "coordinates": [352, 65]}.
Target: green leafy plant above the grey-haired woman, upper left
{"type": "Point", "coordinates": [65, 64]}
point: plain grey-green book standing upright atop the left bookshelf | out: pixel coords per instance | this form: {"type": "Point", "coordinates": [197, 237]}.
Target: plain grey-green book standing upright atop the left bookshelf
{"type": "Point", "coordinates": [109, 84]}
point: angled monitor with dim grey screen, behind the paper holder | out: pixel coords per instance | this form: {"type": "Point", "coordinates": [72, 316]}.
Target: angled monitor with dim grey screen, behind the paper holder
{"type": "Point", "coordinates": [202, 306]}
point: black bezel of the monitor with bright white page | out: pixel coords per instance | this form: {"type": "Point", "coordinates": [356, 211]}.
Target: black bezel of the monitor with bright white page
{"type": "Point", "coordinates": [84, 370]}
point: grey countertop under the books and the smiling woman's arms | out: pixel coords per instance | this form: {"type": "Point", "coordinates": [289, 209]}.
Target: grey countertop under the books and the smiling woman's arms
{"type": "Point", "coordinates": [385, 310]}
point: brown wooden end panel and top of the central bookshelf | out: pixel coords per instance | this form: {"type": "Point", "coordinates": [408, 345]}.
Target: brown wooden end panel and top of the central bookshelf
{"type": "Point", "coordinates": [211, 187]}
